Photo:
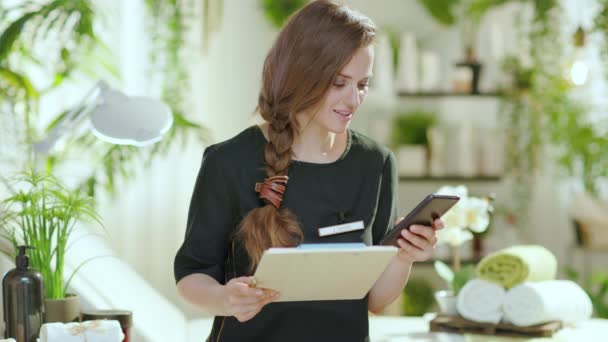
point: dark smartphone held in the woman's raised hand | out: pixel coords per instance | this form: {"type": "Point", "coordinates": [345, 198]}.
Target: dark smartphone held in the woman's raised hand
{"type": "Point", "coordinates": [430, 208]}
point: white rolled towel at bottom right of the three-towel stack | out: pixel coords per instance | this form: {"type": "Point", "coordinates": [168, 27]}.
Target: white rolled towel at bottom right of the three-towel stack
{"type": "Point", "coordinates": [552, 300]}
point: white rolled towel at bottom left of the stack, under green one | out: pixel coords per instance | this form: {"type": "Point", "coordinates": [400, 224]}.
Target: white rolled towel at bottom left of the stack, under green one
{"type": "Point", "coordinates": [481, 301]}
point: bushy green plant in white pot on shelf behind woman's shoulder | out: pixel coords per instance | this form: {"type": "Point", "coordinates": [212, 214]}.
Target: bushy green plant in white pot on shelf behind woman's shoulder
{"type": "Point", "coordinates": [409, 139]}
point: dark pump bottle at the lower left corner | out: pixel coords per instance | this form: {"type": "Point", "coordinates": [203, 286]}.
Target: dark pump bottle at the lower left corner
{"type": "Point", "coordinates": [23, 295]}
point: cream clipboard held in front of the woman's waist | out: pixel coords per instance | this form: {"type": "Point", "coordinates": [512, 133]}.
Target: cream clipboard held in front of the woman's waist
{"type": "Point", "coordinates": [322, 271]}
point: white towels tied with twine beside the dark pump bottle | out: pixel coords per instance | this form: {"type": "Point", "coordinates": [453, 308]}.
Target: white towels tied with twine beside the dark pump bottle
{"type": "Point", "coordinates": [89, 331]}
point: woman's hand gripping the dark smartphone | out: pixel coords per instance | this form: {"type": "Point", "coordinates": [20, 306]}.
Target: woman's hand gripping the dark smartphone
{"type": "Point", "coordinates": [418, 242]}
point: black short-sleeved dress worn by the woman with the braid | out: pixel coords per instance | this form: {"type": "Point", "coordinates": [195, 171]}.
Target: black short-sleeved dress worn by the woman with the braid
{"type": "Point", "coordinates": [360, 185]}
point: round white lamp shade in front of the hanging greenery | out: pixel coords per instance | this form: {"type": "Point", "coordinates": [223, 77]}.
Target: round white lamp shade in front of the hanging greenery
{"type": "Point", "coordinates": [138, 121]}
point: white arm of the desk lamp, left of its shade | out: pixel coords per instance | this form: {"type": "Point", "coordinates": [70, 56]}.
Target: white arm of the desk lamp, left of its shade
{"type": "Point", "coordinates": [71, 119]}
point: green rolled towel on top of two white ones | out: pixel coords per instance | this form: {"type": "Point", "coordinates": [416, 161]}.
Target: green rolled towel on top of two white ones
{"type": "Point", "coordinates": [514, 265]}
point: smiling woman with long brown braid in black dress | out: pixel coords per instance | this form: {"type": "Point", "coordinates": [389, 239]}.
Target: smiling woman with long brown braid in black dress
{"type": "Point", "coordinates": [277, 183]}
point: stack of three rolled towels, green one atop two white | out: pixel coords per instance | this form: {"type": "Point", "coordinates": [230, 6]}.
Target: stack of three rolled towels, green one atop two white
{"type": "Point", "coordinates": [517, 285]}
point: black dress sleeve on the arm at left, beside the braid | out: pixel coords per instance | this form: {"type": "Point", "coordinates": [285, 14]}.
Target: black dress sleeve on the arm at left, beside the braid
{"type": "Point", "coordinates": [210, 221]}
